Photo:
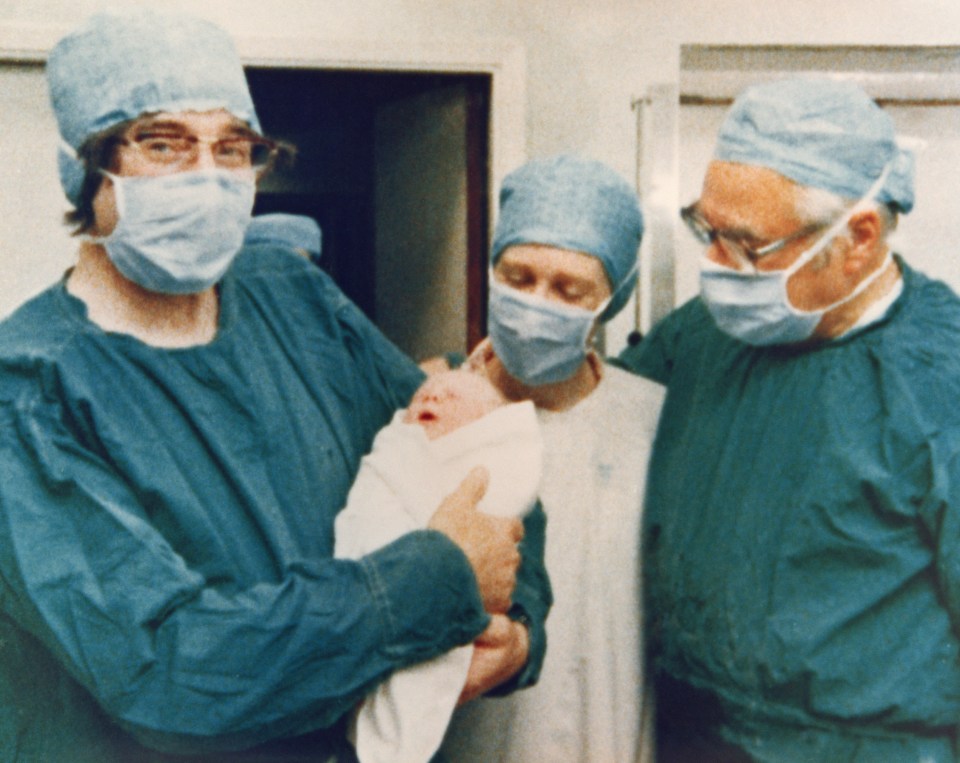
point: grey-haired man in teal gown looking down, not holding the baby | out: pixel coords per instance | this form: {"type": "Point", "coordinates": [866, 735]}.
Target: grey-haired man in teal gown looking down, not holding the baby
{"type": "Point", "coordinates": [802, 550]}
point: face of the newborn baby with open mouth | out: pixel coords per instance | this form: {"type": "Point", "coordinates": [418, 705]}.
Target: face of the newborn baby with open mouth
{"type": "Point", "coordinates": [449, 400]}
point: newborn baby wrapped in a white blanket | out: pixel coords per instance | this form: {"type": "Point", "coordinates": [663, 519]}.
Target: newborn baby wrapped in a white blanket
{"type": "Point", "coordinates": [457, 420]}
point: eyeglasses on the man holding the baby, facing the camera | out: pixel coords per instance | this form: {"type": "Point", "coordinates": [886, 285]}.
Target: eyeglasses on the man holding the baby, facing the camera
{"type": "Point", "coordinates": [170, 149]}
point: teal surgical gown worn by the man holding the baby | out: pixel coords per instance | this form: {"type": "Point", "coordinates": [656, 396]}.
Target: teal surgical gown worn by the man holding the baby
{"type": "Point", "coordinates": [166, 530]}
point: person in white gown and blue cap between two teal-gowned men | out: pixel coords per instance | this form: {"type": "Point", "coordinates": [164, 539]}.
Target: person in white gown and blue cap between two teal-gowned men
{"type": "Point", "coordinates": [564, 260]}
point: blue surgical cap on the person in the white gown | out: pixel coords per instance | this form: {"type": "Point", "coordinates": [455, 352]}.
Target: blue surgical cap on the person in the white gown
{"type": "Point", "coordinates": [574, 203]}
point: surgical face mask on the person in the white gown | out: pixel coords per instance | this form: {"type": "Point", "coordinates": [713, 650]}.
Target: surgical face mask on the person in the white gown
{"type": "Point", "coordinates": [539, 341]}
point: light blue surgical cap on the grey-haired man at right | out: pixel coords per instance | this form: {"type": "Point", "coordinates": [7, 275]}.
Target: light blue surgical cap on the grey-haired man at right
{"type": "Point", "coordinates": [818, 132]}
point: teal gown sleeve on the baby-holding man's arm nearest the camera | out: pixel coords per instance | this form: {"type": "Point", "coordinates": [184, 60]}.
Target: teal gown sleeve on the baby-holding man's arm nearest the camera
{"type": "Point", "coordinates": [189, 664]}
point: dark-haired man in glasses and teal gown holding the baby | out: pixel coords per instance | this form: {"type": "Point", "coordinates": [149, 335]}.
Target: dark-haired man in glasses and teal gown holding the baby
{"type": "Point", "coordinates": [183, 418]}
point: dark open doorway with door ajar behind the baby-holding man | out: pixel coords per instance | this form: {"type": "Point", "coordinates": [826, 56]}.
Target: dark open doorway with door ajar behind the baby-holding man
{"type": "Point", "coordinates": [394, 168]}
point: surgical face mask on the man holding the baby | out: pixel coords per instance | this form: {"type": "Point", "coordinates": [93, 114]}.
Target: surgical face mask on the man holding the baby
{"type": "Point", "coordinates": [178, 233]}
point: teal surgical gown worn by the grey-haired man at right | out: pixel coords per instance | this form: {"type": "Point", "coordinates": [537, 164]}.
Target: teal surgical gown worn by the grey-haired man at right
{"type": "Point", "coordinates": [803, 531]}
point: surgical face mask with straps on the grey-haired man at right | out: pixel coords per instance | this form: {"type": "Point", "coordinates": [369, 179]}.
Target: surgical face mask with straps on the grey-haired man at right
{"type": "Point", "coordinates": [755, 307]}
